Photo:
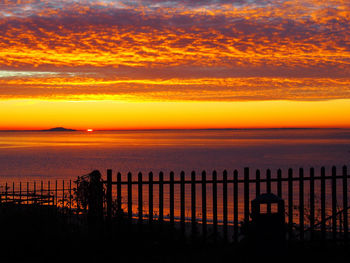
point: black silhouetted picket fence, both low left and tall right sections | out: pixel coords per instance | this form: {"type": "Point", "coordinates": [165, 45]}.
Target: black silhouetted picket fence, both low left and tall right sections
{"type": "Point", "coordinates": [215, 204]}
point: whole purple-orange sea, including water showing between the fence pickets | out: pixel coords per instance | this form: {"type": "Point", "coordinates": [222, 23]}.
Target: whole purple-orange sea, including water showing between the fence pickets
{"type": "Point", "coordinates": [58, 157]}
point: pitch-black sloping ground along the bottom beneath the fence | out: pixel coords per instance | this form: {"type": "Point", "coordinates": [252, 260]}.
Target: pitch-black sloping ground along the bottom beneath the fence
{"type": "Point", "coordinates": [43, 234]}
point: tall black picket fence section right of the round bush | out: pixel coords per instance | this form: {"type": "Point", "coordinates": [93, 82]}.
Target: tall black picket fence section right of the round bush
{"type": "Point", "coordinates": [317, 205]}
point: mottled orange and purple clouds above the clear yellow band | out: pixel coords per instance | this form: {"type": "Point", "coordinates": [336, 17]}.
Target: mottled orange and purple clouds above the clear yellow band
{"type": "Point", "coordinates": [176, 50]}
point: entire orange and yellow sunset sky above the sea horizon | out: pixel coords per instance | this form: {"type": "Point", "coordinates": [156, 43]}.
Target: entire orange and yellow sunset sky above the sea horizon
{"type": "Point", "coordinates": [174, 64]}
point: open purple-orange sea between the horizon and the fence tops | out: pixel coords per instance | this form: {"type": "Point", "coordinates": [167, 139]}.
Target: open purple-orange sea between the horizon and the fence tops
{"type": "Point", "coordinates": [63, 155]}
